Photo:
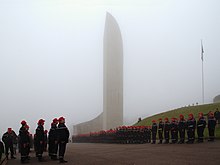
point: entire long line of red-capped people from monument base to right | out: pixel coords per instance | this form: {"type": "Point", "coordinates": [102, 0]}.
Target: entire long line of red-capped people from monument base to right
{"type": "Point", "coordinates": [147, 134]}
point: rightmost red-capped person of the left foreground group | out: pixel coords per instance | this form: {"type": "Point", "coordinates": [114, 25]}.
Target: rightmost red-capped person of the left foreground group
{"type": "Point", "coordinates": [63, 138]}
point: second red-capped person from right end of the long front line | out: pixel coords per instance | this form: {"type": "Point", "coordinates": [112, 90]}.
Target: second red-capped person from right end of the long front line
{"type": "Point", "coordinates": [201, 124]}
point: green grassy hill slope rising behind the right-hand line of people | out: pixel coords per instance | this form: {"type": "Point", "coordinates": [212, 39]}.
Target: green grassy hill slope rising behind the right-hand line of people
{"type": "Point", "coordinates": [184, 111]}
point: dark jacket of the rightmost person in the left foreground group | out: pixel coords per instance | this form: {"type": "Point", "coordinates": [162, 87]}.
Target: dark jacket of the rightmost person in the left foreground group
{"type": "Point", "coordinates": [63, 133]}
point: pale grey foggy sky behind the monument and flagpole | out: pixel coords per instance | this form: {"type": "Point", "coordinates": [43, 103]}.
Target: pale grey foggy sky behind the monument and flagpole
{"type": "Point", "coordinates": [51, 57]}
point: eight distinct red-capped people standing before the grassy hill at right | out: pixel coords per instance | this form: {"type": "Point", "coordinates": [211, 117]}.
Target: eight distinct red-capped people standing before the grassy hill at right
{"type": "Point", "coordinates": [178, 128]}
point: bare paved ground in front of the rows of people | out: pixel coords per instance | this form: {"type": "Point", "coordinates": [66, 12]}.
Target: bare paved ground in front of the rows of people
{"type": "Point", "coordinates": [137, 154]}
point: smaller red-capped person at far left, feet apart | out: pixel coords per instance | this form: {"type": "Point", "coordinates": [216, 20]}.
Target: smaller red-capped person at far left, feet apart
{"type": "Point", "coordinates": [7, 138]}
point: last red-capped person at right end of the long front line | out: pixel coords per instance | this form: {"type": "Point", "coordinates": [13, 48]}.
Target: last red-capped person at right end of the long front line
{"type": "Point", "coordinates": [211, 126]}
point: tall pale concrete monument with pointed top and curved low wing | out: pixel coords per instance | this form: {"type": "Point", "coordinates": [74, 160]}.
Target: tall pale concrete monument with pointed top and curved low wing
{"type": "Point", "coordinates": [112, 115]}
